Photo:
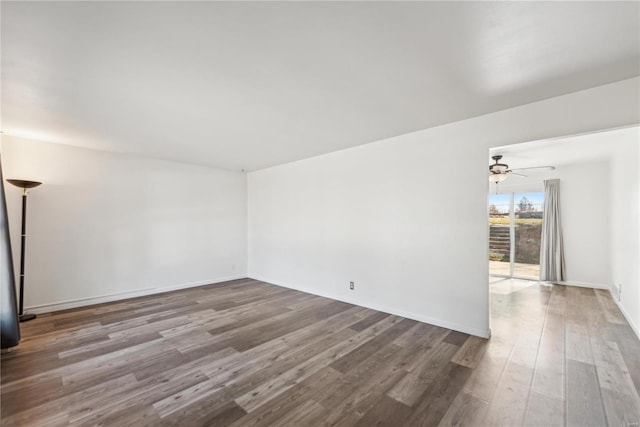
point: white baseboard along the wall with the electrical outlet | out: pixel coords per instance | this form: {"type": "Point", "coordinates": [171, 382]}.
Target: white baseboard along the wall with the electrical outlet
{"type": "Point", "coordinates": [395, 311]}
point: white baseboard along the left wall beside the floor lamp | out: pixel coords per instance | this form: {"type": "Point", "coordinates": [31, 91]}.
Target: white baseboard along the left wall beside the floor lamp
{"type": "Point", "coordinates": [82, 302]}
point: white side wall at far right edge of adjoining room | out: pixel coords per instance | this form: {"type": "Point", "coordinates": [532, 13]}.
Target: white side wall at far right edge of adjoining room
{"type": "Point", "coordinates": [625, 222]}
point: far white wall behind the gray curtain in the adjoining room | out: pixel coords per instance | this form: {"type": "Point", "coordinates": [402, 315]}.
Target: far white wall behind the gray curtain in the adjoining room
{"type": "Point", "coordinates": [584, 196]}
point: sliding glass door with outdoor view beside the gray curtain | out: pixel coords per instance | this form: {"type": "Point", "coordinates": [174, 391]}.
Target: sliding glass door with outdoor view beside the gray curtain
{"type": "Point", "coordinates": [515, 229]}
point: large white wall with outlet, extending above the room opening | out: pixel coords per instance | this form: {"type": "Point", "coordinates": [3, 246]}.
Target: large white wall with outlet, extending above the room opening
{"type": "Point", "coordinates": [406, 218]}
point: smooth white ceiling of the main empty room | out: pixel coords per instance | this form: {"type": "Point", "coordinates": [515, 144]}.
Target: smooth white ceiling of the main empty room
{"type": "Point", "coordinates": [249, 85]}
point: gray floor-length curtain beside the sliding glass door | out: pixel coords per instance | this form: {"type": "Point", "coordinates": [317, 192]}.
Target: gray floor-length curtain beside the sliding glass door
{"type": "Point", "coordinates": [552, 267]}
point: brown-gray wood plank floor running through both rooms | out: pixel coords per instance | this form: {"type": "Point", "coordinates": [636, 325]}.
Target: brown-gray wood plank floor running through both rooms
{"type": "Point", "coordinates": [245, 353]}
